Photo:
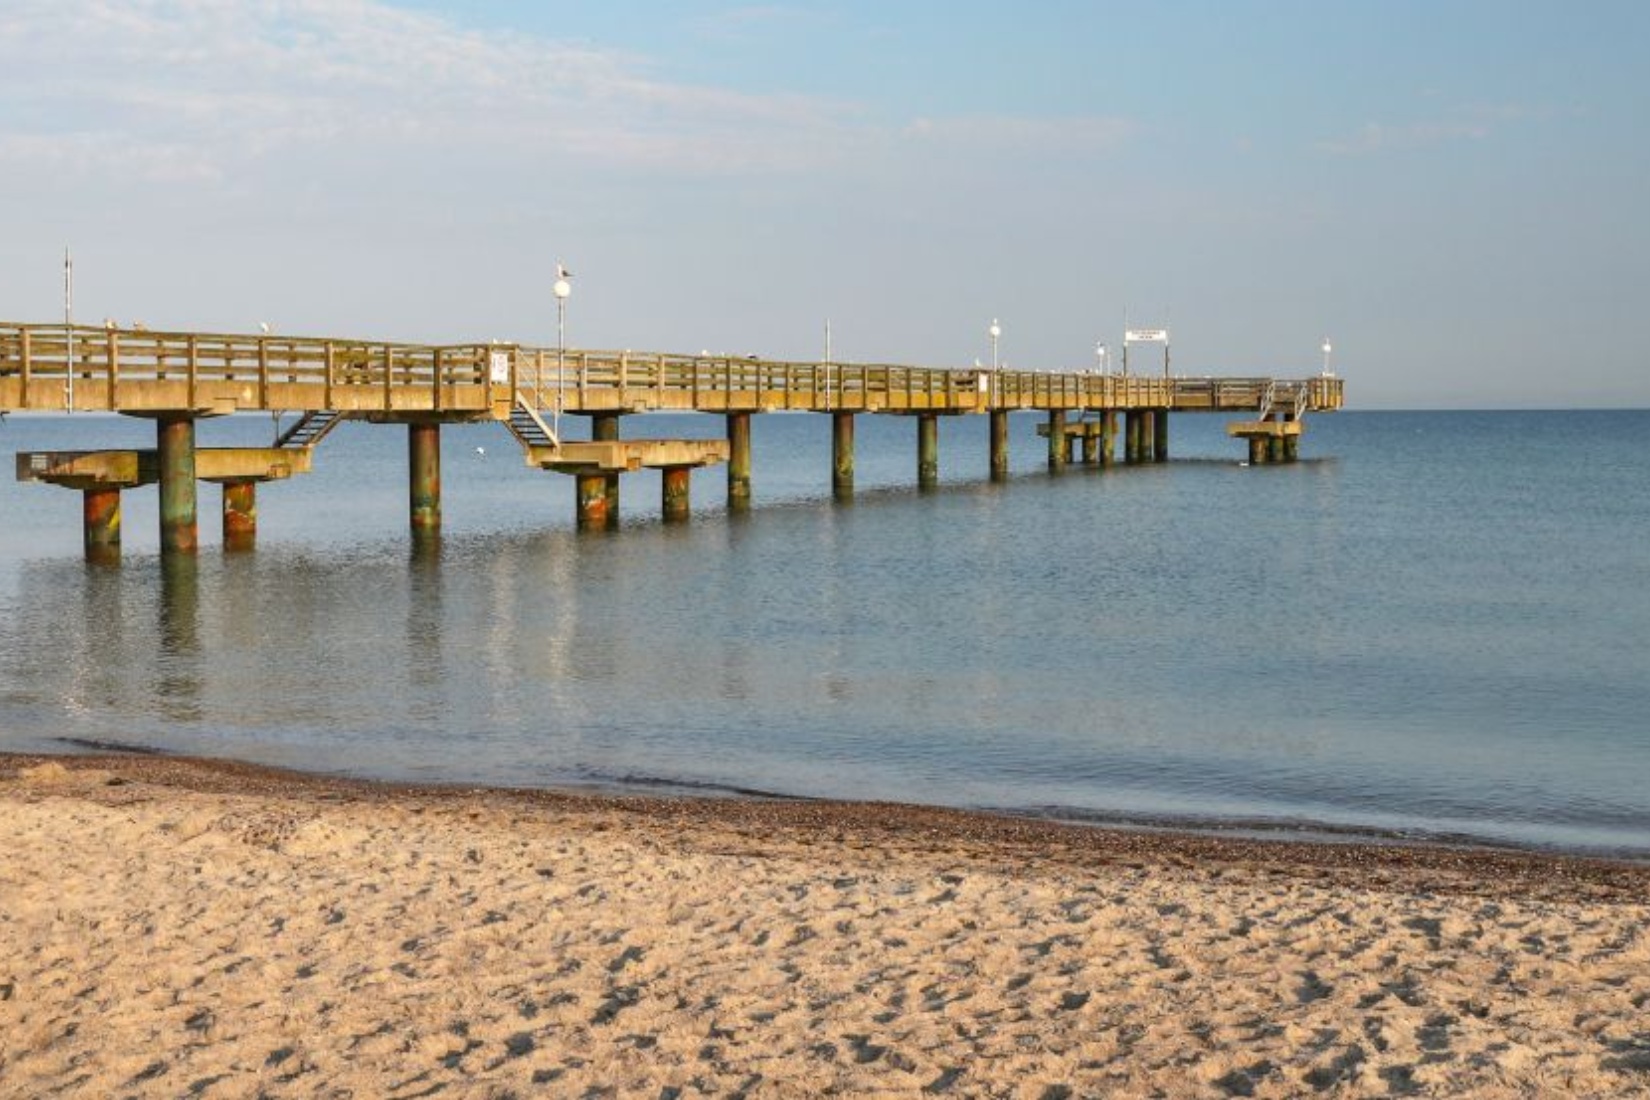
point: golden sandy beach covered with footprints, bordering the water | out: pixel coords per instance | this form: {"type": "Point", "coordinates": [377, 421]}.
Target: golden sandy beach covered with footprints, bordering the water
{"type": "Point", "coordinates": [177, 929]}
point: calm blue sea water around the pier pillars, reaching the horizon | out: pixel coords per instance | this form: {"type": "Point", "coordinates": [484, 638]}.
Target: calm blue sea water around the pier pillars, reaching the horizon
{"type": "Point", "coordinates": [1435, 626]}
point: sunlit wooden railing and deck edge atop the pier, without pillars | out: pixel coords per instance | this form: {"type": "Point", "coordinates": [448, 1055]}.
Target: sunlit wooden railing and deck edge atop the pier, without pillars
{"type": "Point", "coordinates": [55, 367]}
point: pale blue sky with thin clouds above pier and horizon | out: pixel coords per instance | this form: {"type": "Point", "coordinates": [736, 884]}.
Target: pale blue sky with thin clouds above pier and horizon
{"type": "Point", "coordinates": [1454, 192]}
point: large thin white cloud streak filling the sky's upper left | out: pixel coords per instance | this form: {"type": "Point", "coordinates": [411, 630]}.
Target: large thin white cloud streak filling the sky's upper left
{"type": "Point", "coordinates": [222, 85]}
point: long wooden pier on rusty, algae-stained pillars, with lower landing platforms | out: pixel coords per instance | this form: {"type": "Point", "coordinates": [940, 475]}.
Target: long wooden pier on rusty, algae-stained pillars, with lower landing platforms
{"type": "Point", "coordinates": [181, 378]}
